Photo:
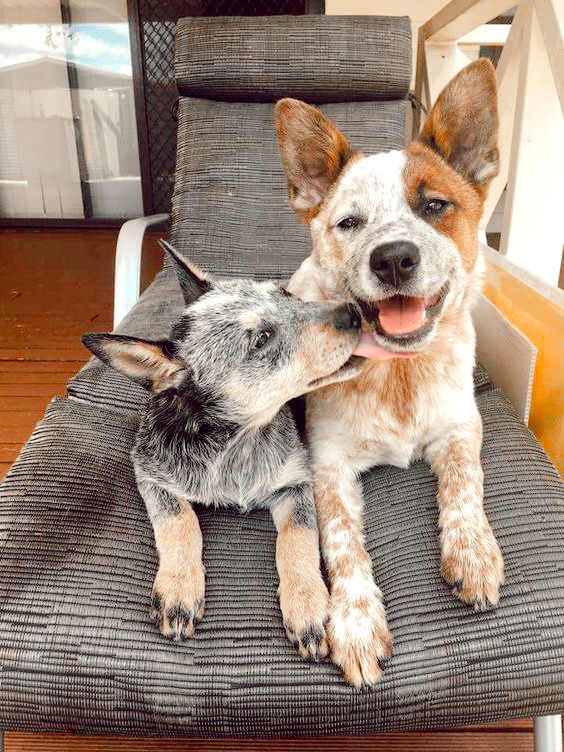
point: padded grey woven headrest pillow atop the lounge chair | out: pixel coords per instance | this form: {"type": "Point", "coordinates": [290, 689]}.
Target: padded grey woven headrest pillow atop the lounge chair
{"type": "Point", "coordinates": [319, 59]}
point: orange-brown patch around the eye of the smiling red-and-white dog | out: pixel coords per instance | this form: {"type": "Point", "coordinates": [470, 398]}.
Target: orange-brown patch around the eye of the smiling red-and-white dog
{"type": "Point", "coordinates": [428, 179]}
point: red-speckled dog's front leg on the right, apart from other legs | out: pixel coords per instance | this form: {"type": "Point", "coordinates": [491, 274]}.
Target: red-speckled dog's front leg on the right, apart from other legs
{"type": "Point", "coordinates": [470, 557]}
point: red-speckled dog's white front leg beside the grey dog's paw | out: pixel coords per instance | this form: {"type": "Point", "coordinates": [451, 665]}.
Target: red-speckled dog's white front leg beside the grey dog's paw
{"type": "Point", "coordinates": [358, 632]}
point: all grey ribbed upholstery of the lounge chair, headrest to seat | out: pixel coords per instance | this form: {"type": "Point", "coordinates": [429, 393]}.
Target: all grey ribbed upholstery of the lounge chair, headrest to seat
{"type": "Point", "coordinates": [77, 560]}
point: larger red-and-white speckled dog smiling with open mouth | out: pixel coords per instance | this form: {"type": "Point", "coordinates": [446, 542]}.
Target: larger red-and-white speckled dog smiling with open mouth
{"type": "Point", "coordinates": [397, 233]}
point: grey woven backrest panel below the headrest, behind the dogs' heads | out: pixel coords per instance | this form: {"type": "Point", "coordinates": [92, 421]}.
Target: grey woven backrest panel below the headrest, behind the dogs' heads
{"type": "Point", "coordinates": [230, 210]}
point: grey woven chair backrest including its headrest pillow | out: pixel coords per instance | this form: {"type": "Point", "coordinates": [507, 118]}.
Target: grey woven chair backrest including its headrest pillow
{"type": "Point", "coordinates": [230, 212]}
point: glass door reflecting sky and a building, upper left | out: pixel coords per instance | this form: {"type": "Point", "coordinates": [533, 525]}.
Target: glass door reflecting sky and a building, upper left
{"type": "Point", "coordinates": [68, 138]}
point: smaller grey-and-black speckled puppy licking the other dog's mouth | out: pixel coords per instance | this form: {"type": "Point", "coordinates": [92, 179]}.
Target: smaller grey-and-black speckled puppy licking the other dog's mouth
{"type": "Point", "coordinates": [218, 431]}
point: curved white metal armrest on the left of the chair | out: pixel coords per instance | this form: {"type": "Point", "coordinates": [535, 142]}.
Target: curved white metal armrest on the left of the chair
{"type": "Point", "coordinates": [127, 275]}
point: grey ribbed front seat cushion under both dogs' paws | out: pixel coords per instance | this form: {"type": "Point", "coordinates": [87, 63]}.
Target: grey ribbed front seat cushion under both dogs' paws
{"type": "Point", "coordinates": [78, 652]}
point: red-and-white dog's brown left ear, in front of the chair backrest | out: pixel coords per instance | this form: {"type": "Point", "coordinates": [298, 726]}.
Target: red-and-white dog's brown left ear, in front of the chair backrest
{"type": "Point", "coordinates": [313, 154]}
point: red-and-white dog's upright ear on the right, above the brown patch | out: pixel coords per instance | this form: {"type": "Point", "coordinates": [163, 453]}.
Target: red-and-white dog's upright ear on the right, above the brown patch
{"type": "Point", "coordinates": [463, 123]}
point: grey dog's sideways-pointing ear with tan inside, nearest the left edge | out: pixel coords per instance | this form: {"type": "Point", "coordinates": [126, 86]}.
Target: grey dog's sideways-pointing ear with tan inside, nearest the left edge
{"type": "Point", "coordinates": [151, 364]}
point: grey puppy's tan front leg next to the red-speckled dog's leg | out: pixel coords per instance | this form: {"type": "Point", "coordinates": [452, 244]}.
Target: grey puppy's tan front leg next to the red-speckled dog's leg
{"type": "Point", "coordinates": [304, 600]}
